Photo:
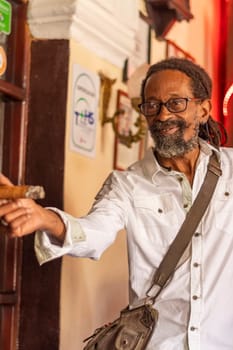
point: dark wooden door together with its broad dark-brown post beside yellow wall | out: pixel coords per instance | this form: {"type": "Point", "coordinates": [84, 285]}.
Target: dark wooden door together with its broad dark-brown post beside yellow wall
{"type": "Point", "coordinates": [32, 121]}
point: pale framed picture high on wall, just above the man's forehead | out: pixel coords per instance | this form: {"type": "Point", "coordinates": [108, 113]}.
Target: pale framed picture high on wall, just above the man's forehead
{"type": "Point", "coordinates": [142, 49]}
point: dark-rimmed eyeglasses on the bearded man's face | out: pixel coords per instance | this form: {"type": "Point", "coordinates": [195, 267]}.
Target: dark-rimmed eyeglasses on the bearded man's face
{"type": "Point", "coordinates": [173, 105]}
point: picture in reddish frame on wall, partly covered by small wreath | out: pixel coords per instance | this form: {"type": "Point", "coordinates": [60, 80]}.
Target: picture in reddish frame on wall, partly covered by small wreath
{"type": "Point", "coordinates": [124, 155]}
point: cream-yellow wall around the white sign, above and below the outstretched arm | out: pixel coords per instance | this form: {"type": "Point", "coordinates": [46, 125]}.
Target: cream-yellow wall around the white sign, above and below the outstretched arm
{"type": "Point", "coordinates": [89, 288]}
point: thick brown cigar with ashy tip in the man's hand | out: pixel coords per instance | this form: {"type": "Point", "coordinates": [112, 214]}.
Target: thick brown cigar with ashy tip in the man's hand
{"type": "Point", "coordinates": [21, 191]}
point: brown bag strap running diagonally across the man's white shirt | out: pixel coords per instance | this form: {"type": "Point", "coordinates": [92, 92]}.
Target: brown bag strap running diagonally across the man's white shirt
{"type": "Point", "coordinates": [183, 237]}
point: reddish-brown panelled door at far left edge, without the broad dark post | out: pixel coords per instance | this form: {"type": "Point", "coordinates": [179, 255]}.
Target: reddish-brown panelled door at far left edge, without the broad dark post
{"type": "Point", "coordinates": [13, 114]}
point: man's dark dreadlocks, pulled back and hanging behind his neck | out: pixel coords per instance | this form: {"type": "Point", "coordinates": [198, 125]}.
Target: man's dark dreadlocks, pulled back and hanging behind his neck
{"type": "Point", "coordinates": [201, 84]}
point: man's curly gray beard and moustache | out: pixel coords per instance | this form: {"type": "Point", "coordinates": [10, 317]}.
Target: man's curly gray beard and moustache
{"type": "Point", "coordinates": [173, 145]}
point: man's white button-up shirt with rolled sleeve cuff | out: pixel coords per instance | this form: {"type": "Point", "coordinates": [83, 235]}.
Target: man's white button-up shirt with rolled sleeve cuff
{"type": "Point", "coordinates": [196, 307]}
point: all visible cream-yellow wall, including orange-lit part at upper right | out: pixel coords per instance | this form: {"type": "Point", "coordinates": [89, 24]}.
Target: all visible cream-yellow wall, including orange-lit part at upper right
{"type": "Point", "coordinates": [93, 292]}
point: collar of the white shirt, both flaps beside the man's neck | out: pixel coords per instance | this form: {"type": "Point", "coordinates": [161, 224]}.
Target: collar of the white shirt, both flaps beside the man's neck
{"type": "Point", "coordinates": [151, 166]}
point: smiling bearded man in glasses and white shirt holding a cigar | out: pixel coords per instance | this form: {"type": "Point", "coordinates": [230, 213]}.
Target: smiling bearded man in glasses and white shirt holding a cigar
{"type": "Point", "coordinates": [150, 200]}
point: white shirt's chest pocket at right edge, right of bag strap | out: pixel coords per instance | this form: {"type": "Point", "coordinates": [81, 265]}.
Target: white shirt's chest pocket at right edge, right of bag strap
{"type": "Point", "coordinates": [223, 208]}
